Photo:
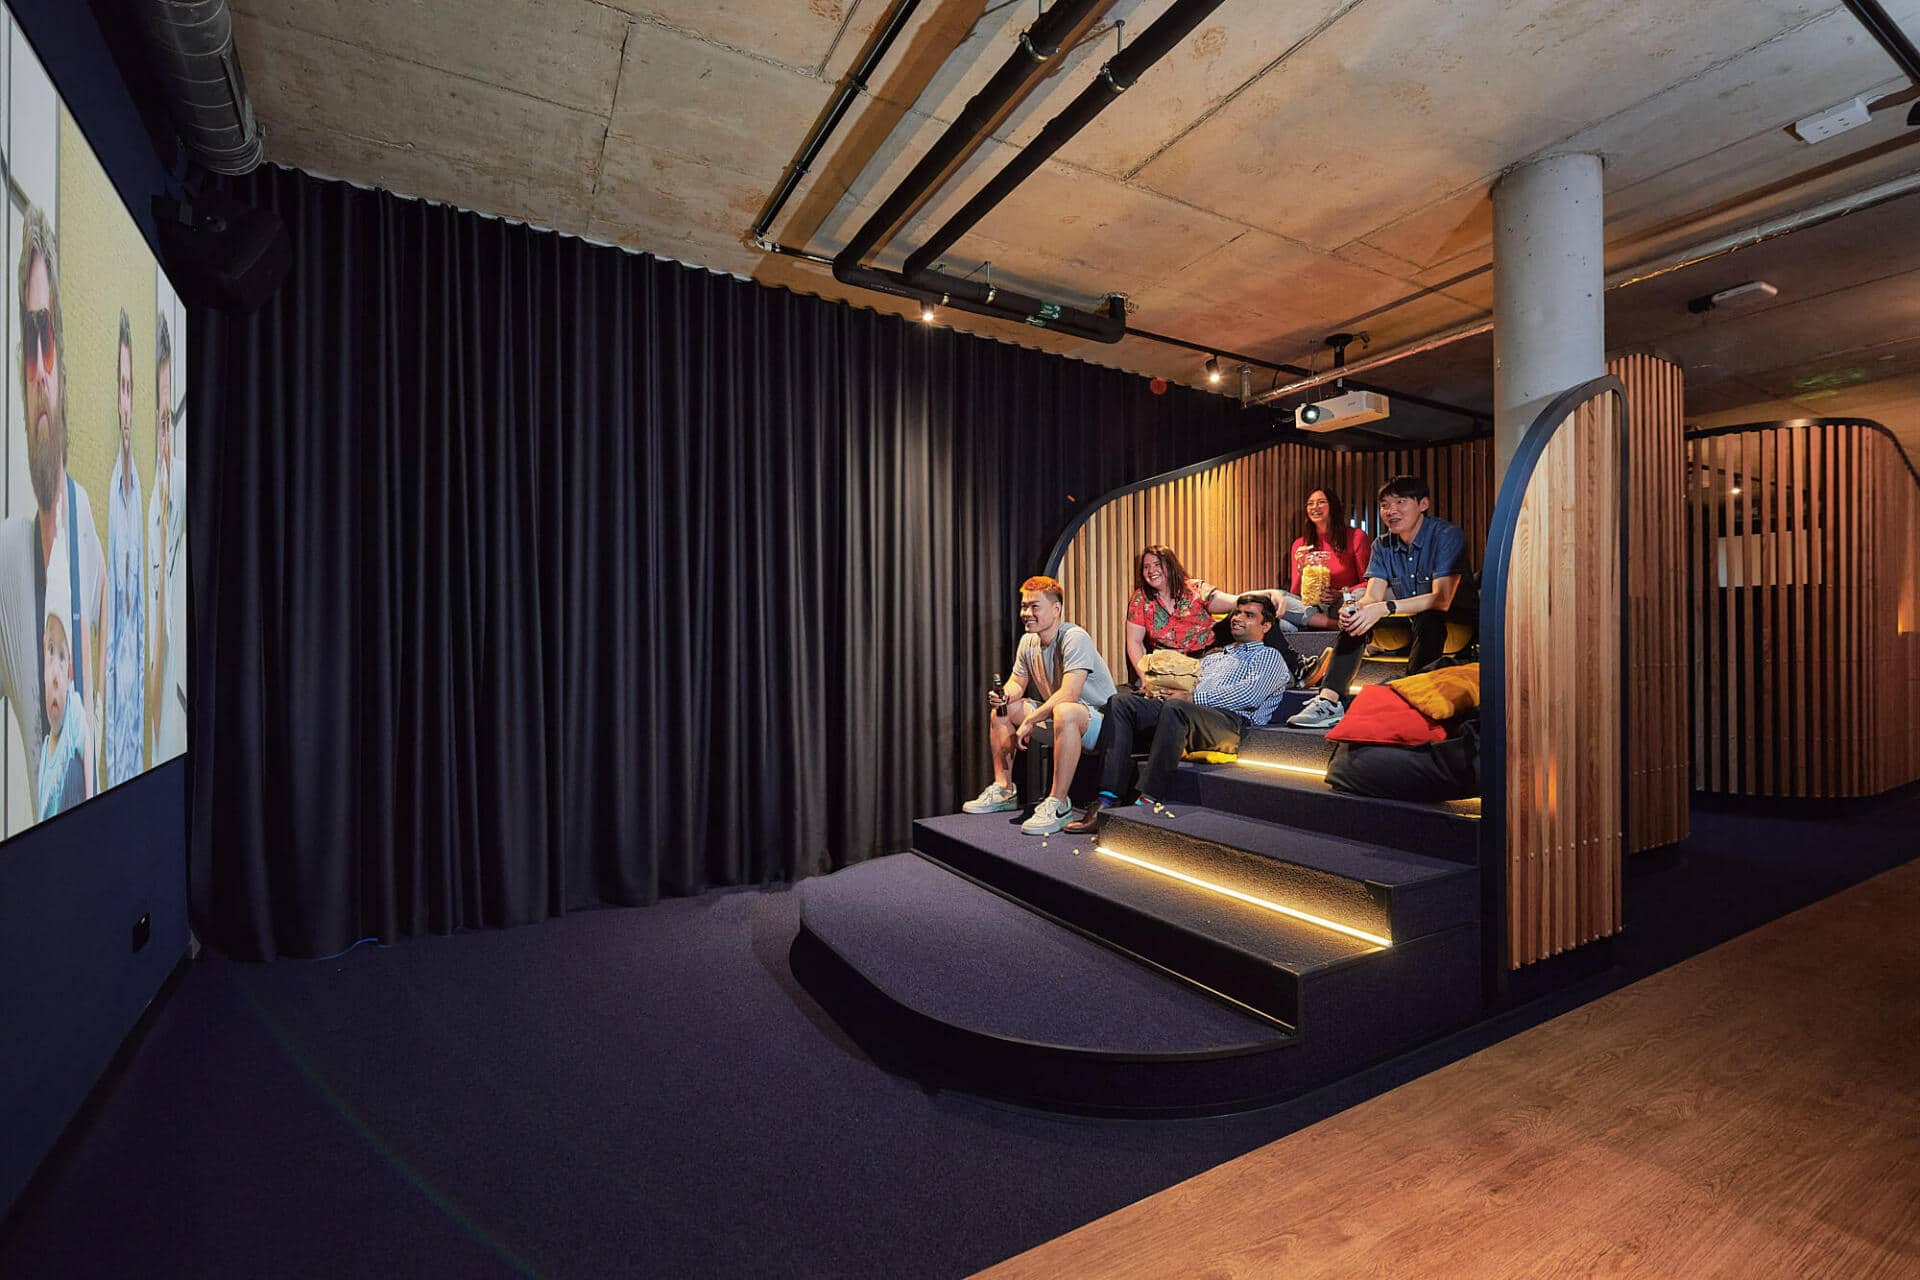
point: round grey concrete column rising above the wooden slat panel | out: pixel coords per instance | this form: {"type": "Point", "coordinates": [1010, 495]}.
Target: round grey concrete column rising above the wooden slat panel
{"type": "Point", "coordinates": [1548, 291]}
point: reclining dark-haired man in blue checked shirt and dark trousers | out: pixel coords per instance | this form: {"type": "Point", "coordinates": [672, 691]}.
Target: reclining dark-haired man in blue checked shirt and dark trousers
{"type": "Point", "coordinates": [1239, 686]}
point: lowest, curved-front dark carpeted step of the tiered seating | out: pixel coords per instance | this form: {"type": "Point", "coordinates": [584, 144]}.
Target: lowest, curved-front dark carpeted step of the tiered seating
{"type": "Point", "coordinates": [961, 987]}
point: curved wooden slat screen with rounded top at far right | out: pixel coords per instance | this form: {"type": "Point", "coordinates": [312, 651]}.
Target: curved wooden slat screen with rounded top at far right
{"type": "Point", "coordinates": [1804, 544]}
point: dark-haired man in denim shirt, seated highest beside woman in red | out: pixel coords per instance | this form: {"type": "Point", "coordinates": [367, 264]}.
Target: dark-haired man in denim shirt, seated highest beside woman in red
{"type": "Point", "coordinates": [1416, 569]}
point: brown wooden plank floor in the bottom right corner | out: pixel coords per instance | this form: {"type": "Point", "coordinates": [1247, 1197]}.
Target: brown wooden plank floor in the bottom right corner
{"type": "Point", "coordinates": [1754, 1112]}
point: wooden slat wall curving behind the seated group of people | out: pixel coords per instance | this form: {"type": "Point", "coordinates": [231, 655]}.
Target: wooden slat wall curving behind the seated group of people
{"type": "Point", "coordinates": [1234, 523]}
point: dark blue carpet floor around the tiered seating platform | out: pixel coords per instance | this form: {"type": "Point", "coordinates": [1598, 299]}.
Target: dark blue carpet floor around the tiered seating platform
{"type": "Point", "coordinates": [648, 1093]}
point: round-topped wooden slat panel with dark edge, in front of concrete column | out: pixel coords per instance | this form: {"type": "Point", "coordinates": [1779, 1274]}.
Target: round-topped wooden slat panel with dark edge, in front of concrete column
{"type": "Point", "coordinates": [1566, 811]}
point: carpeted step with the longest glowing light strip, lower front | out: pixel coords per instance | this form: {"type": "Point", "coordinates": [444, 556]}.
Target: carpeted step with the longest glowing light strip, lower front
{"type": "Point", "coordinates": [1383, 893]}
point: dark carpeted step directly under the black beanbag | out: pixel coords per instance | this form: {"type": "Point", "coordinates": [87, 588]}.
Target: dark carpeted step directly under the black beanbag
{"type": "Point", "coordinates": [1445, 830]}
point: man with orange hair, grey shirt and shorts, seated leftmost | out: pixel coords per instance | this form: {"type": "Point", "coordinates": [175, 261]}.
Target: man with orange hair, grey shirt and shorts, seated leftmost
{"type": "Point", "coordinates": [1061, 663]}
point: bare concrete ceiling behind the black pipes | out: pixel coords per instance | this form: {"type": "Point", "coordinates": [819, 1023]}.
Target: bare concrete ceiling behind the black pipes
{"type": "Point", "coordinates": [1289, 172]}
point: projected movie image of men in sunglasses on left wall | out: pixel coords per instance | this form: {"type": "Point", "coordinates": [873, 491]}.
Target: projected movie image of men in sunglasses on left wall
{"type": "Point", "coordinates": [93, 533]}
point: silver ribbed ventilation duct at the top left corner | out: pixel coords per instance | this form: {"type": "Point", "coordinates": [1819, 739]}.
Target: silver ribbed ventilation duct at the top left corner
{"type": "Point", "coordinates": [197, 62]}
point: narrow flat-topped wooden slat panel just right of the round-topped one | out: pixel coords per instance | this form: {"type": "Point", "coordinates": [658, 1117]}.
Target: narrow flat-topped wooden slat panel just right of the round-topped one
{"type": "Point", "coordinates": [1658, 604]}
